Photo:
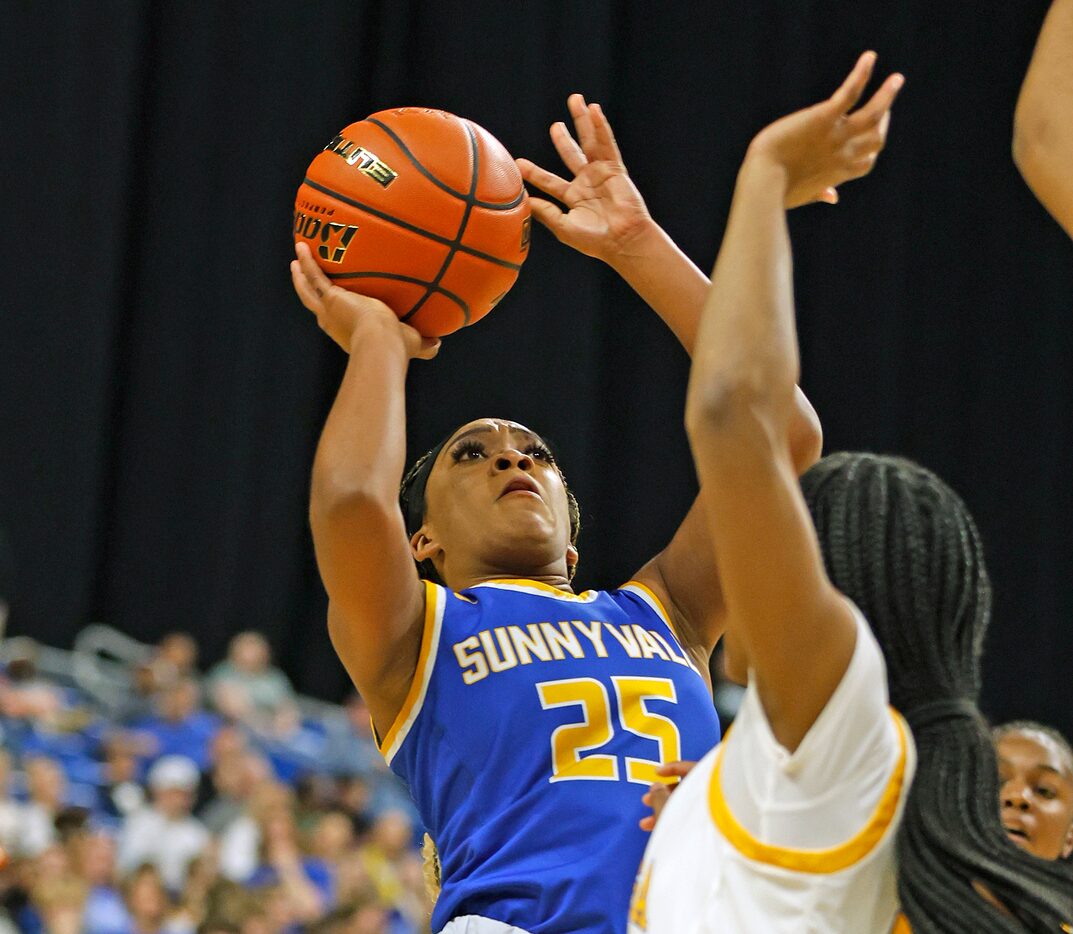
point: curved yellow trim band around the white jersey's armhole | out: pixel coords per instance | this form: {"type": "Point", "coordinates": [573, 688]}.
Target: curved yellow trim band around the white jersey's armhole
{"type": "Point", "coordinates": [831, 860]}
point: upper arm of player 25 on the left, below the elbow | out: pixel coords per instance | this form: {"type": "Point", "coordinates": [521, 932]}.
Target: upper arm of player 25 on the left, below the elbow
{"type": "Point", "coordinates": [376, 599]}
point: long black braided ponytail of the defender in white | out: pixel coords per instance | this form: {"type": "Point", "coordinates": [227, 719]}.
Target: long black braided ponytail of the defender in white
{"type": "Point", "coordinates": [903, 546]}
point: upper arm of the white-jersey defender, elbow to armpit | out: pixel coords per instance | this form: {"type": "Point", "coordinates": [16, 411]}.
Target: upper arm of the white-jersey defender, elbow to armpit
{"type": "Point", "coordinates": [797, 631]}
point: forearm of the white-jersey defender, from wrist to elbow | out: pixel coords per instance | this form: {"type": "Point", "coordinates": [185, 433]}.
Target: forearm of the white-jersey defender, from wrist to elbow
{"type": "Point", "coordinates": [747, 345]}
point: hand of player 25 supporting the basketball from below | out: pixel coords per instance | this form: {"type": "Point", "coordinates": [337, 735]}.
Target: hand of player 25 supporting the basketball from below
{"type": "Point", "coordinates": [340, 312]}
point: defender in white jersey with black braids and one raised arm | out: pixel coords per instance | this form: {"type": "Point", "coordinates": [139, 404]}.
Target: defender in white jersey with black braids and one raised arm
{"type": "Point", "coordinates": [792, 825]}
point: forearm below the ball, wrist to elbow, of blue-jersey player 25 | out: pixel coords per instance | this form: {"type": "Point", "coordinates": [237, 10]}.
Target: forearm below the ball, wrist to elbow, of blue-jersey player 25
{"type": "Point", "coordinates": [363, 445]}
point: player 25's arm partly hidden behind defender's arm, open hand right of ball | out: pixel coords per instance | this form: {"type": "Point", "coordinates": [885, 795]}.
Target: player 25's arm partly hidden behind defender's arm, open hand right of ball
{"type": "Point", "coordinates": [607, 218]}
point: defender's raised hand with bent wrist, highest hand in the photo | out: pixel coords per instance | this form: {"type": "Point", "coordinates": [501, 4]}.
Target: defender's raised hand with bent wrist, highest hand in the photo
{"type": "Point", "coordinates": [819, 149]}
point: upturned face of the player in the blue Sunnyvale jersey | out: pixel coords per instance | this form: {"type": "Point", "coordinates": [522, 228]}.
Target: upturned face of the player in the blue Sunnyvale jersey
{"type": "Point", "coordinates": [495, 499]}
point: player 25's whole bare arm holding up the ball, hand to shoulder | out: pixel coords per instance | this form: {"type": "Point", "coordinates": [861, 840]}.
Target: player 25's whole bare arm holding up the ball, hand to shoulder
{"type": "Point", "coordinates": [363, 552]}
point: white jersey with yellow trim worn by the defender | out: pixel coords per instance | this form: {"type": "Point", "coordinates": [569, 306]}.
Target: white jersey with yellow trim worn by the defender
{"type": "Point", "coordinates": [761, 841]}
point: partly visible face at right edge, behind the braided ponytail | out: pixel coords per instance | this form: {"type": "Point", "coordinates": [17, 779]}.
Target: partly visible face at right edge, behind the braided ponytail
{"type": "Point", "coordinates": [1036, 794]}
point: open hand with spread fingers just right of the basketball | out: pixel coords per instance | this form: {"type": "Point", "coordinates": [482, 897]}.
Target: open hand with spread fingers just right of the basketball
{"type": "Point", "coordinates": [606, 212]}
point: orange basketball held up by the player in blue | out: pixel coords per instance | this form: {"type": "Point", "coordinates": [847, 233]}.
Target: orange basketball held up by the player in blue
{"type": "Point", "coordinates": [420, 209]}
